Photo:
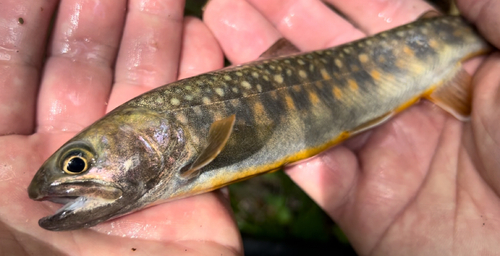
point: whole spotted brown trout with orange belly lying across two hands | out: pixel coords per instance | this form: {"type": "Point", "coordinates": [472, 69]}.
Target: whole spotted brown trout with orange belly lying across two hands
{"type": "Point", "coordinates": [202, 133]}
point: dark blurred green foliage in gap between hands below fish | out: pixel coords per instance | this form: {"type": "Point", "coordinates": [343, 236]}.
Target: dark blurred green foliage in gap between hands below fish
{"type": "Point", "coordinates": [273, 207]}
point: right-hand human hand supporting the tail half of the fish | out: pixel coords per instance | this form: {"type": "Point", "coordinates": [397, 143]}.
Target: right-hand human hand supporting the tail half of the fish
{"type": "Point", "coordinates": [422, 183]}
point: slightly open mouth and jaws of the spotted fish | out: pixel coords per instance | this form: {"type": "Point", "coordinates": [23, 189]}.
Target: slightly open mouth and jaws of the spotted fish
{"type": "Point", "coordinates": [85, 203]}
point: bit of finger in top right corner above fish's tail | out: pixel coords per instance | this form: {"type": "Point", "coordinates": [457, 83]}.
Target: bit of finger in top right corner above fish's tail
{"type": "Point", "coordinates": [484, 14]}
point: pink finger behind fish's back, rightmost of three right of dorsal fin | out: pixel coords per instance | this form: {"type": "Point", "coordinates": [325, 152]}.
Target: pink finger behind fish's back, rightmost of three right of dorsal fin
{"type": "Point", "coordinates": [376, 16]}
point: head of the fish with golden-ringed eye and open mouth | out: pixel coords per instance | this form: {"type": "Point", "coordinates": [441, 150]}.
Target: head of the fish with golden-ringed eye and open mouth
{"type": "Point", "coordinates": [109, 169]}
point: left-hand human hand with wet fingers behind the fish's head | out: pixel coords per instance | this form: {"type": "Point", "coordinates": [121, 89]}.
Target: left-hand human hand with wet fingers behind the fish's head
{"type": "Point", "coordinates": [99, 56]}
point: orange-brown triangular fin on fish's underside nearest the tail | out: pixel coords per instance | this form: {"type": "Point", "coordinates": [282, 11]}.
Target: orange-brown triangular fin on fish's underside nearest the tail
{"type": "Point", "coordinates": [455, 95]}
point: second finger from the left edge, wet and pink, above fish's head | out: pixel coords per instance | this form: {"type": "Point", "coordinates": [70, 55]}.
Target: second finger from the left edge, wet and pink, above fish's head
{"type": "Point", "coordinates": [78, 73]}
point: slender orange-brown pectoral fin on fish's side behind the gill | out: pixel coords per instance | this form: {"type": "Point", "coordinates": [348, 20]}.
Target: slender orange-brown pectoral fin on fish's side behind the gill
{"type": "Point", "coordinates": [217, 138]}
